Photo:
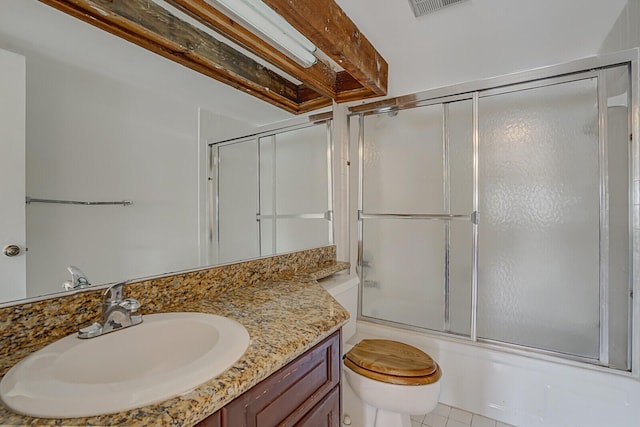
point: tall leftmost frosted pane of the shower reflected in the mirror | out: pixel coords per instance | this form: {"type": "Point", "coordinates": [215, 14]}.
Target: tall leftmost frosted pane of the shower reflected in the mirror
{"type": "Point", "coordinates": [238, 229]}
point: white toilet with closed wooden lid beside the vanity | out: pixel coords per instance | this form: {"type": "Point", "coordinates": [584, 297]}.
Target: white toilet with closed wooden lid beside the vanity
{"type": "Point", "coordinates": [392, 380]}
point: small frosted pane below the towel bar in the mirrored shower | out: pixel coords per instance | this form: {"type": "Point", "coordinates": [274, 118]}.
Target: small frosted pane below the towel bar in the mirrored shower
{"type": "Point", "coordinates": [297, 234]}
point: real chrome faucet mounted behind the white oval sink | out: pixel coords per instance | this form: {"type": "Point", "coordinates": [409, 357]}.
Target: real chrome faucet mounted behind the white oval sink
{"type": "Point", "coordinates": [117, 313]}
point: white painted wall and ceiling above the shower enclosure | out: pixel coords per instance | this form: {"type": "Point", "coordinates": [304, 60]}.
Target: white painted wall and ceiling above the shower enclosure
{"type": "Point", "coordinates": [479, 38]}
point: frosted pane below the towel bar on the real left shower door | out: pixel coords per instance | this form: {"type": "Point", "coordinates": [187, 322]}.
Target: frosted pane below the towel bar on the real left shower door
{"type": "Point", "coordinates": [404, 272]}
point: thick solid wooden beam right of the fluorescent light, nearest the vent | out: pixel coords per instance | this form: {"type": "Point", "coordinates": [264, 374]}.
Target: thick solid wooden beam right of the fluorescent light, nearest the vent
{"type": "Point", "coordinates": [332, 31]}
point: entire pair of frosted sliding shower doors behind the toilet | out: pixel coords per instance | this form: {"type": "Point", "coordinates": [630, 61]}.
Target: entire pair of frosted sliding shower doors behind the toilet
{"type": "Point", "coordinates": [505, 214]}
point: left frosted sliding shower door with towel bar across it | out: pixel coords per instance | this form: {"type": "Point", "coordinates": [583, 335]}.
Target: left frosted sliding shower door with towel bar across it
{"type": "Point", "coordinates": [415, 216]}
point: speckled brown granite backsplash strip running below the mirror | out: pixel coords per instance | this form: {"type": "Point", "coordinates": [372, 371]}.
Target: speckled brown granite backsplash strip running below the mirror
{"type": "Point", "coordinates": [26, 328]}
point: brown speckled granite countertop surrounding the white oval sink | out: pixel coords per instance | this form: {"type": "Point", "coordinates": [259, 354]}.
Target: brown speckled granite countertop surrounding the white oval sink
{"type": "Point", "coordinates": [284, 318]}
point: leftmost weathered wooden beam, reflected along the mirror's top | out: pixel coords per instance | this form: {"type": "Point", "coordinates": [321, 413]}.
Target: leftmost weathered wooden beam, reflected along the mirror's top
{"type": "Point", "coordinates": [150, 26]}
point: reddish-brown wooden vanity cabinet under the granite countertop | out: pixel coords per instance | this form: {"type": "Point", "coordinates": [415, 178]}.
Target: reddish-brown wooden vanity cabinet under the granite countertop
{"type": "Point", "coordinates": [306, 392]}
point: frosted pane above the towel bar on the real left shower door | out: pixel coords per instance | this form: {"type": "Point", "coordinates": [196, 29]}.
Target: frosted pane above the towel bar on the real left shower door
{"type": "Point", "coordinates": [403, 162]}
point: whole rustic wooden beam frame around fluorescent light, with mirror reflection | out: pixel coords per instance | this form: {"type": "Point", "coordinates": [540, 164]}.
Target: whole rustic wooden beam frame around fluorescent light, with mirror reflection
{"type": "Point", "coordinates": [157, 29]}
